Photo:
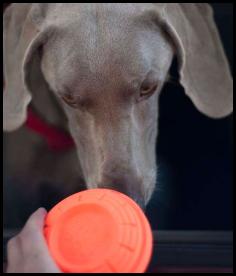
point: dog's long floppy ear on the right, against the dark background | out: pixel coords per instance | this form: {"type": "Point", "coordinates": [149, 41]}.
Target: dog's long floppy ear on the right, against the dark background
{"type": "Point", "coordinates": [204, 70]}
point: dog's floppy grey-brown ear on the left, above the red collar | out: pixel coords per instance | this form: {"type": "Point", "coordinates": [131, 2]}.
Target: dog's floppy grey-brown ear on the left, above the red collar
{"type": "Point", "coordinates": [23, 34]}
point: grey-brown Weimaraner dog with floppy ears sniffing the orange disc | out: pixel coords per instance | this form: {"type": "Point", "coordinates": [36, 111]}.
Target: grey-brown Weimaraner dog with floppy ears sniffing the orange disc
{"type": "Point", "coordinates": [97, 70]}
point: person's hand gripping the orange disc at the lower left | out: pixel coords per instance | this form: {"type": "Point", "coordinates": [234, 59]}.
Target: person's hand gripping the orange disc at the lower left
{"type": "Point", "coordinates": [28, 251]}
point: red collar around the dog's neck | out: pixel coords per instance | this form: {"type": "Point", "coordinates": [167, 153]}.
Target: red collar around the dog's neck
{"type": "Point", "coordinates": [56, 139]}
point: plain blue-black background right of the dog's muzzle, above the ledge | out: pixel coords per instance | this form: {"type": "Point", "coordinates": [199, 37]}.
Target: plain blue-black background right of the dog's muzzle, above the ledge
{"type": "Point", "coordinates": [195, 156]}
